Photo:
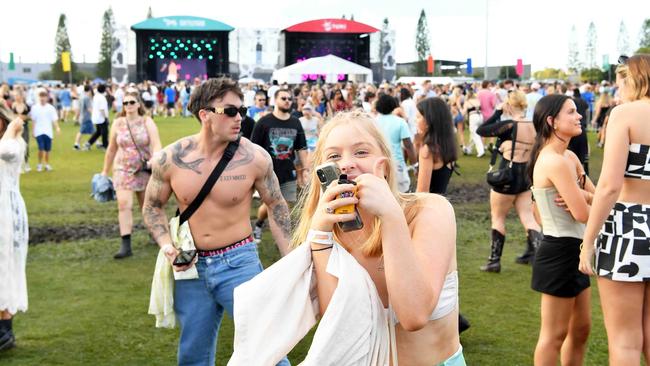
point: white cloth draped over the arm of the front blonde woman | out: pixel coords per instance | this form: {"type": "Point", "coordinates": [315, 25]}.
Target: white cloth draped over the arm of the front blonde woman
{"type": "Point", "coordinates": [277, 308]}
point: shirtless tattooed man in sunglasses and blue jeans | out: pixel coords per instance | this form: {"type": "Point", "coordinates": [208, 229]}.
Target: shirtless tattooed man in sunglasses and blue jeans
{"type": "Point", "coordinates": [225, 260]}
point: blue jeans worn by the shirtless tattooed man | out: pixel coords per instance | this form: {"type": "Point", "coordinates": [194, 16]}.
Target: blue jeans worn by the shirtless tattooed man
{"type": "Point", "coordinates": [199, 303]}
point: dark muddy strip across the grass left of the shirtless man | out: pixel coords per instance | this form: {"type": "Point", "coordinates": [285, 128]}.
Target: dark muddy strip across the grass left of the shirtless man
{"type": "Point", "coordinates": [57, 234]}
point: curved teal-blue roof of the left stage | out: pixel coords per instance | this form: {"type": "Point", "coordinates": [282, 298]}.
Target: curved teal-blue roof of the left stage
{"type": "Point", "coordinates": [182, 23]}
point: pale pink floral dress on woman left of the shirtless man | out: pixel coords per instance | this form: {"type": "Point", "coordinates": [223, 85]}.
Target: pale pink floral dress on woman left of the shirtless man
{"type": "Point", "coordinates": [127, 169]}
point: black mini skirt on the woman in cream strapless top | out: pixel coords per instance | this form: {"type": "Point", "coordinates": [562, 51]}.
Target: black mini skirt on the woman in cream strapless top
{"type": "Point", "coordinates": [555, 269]}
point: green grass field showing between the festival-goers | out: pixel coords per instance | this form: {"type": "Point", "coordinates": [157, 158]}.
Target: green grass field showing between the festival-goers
{"type": "Point", "coordinates": [88, 309]}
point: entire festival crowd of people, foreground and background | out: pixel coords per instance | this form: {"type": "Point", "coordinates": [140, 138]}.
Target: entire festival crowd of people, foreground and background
{"type": "Point", "coordinates": [380, 277]}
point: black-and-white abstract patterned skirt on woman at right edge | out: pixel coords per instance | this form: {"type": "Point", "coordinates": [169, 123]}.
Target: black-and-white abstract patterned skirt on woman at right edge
{"type": "Point", "coordinates": [623, 246]}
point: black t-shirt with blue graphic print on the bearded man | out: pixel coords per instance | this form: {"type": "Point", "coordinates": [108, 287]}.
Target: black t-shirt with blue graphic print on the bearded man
{"type": "Point", "coordinates": [281, 138]}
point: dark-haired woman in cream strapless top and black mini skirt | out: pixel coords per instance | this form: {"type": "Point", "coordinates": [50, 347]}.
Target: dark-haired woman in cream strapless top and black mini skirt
{"type": "Point", "coordinates": [562, 193]}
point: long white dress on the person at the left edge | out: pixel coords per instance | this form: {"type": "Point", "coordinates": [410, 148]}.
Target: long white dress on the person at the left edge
{"type": "Point", "coordinates": [13, 228]}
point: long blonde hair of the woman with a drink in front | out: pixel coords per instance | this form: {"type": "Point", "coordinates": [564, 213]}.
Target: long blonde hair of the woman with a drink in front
{"type": "Point", "coordinates": [310, 196]}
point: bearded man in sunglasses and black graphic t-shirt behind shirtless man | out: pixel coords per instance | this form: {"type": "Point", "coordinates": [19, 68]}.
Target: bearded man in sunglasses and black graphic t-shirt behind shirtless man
{"type": "Point", "coordinates": [282, 136]}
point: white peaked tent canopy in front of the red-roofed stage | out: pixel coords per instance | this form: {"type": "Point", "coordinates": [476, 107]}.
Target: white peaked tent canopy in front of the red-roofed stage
{"type": "Point", "coordinates": [331, 66]}
